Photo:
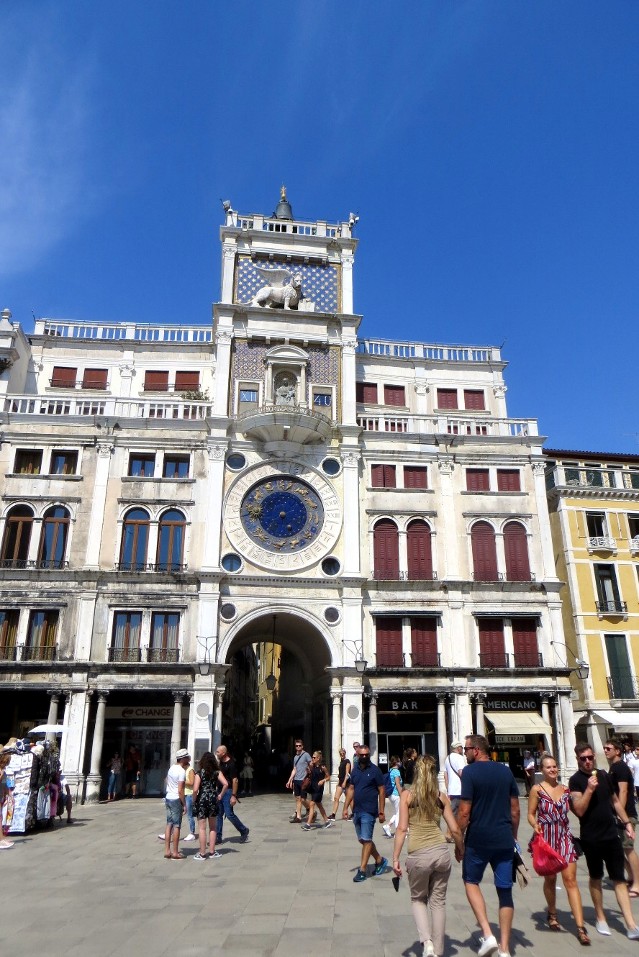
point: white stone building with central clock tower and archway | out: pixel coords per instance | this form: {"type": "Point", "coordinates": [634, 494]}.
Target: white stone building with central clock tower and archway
{"type": "Point", "coordinates": [177, 499]}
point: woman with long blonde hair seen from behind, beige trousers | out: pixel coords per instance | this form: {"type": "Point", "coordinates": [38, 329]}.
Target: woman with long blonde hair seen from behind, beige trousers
{"type": "Point", "coordinates": [428, 865]}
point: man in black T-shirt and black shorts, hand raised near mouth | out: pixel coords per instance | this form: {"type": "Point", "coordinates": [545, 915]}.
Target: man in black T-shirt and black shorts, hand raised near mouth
{"type": "Point", "coordinates": [597, 806]}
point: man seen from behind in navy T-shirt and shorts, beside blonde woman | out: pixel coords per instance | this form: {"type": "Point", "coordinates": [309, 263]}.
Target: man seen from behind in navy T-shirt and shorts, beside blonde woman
{"type": "Point", "coordinates": [488, 817]}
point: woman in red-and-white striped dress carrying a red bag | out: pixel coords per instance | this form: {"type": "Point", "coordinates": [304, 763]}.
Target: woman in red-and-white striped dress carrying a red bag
{"type": "Point", "coordinates": [548, 806]}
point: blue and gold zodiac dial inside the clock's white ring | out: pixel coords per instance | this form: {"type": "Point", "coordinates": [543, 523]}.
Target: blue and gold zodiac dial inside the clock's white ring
{"type": "Point", "coordinates": [282, 514]}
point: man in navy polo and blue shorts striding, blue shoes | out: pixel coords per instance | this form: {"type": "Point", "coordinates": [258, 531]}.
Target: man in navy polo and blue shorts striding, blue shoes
{"type": "Point", "coordinates": [366, 788]}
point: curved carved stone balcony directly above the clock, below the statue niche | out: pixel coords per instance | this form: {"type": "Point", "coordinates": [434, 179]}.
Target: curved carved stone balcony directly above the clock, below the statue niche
{"type": "Point", "coordinates": [285, 423]}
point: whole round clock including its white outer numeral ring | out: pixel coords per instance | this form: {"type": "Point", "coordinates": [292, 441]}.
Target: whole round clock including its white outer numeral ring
{"type": "Point", "coordinates": [282, 516]}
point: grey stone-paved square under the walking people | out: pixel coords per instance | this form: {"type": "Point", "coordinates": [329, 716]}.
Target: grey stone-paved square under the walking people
{"type": "Point", "coordinates": [102, 887]}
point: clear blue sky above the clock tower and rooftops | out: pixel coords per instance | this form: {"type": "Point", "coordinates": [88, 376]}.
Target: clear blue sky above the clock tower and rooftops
{"type": "Point", "coordinates": [490, 148]}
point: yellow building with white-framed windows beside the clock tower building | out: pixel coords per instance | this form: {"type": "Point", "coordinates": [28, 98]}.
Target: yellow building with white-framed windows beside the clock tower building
{"type": "Point", "coordinates": [593, 502]}
